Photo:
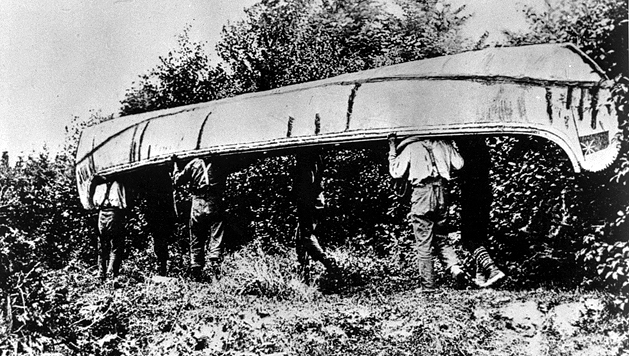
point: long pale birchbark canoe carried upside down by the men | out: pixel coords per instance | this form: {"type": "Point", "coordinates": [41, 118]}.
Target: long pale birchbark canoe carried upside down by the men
{"type": "Point", "coordinates": [553, 91]}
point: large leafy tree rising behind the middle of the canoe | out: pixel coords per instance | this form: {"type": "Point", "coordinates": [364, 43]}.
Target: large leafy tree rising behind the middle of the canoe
{"type": "Point", "coordinates": [286, 42]}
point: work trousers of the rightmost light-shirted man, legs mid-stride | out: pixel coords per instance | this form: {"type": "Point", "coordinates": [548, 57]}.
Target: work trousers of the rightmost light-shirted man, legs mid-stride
{"type": "Point", "coordinates": [427, 217]}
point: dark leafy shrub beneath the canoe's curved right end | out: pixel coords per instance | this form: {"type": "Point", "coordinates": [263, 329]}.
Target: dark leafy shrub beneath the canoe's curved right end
{"type": "Point", "coordinates": [536, 213]}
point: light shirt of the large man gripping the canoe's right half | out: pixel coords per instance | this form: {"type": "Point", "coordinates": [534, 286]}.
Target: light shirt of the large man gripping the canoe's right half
{"type": "Point", "coordinates": [424, 159]}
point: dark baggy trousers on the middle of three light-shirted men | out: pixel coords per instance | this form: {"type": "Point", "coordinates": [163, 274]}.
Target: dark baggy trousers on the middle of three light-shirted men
{"type": "Point", "coordinates": [207, 229]}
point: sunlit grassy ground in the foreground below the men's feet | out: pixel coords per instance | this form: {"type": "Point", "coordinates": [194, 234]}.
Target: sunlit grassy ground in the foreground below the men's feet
{"type": "Point", "coordinates": [173, 316]}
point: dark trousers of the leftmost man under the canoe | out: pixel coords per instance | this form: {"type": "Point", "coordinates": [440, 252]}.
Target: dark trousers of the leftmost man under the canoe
{"type": "Point", "coordinates": [111, 241]}
